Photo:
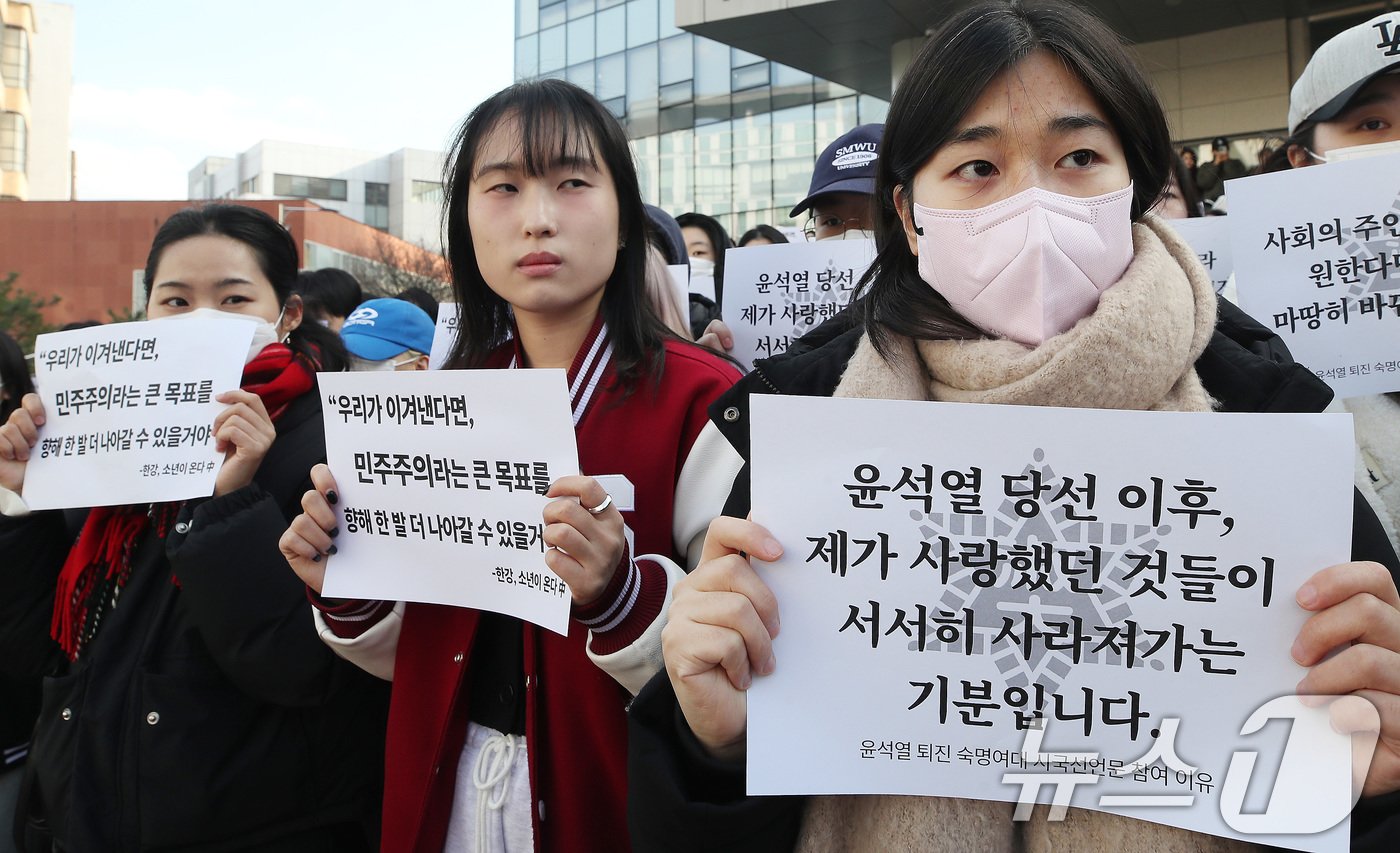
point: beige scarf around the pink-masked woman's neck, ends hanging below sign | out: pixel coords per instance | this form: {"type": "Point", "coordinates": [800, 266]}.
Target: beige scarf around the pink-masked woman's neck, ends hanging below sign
{"type": "Point", "coordinates": [1137, 351]}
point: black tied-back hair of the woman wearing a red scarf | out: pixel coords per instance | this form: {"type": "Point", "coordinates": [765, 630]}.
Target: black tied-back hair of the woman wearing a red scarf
{"type": "Point", "coordinates": [276, 254]}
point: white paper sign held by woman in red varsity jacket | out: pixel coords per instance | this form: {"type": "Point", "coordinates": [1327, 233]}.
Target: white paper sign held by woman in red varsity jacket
{"type": "Point", "coordinates": [442, 480]}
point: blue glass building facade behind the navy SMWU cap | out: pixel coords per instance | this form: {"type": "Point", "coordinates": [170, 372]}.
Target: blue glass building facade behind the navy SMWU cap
{"type": "Point", "coordinates": [715, 130]}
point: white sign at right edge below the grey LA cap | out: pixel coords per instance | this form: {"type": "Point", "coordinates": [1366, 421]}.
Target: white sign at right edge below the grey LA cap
{"type": "Point", "coordinates": [1318, 261]}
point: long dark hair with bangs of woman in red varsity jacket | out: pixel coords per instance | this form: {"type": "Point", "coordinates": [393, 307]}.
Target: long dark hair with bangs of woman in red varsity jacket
{"type": "Point", "coordinates": [556, 124]}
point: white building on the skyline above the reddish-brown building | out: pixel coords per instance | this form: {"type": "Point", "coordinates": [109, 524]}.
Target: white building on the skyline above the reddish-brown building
{"type": "Point", "coordinates": [400, 194]}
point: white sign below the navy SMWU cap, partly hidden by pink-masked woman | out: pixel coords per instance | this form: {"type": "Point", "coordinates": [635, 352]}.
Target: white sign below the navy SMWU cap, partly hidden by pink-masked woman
{"type": "Point", "coordinates": [773, 295]}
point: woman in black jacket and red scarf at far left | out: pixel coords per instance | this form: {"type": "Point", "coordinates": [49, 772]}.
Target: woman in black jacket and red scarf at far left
{"type": "Point", "coordinates": [204, 714]}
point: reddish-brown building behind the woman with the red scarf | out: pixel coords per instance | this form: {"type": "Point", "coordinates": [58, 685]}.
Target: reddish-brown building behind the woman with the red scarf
{"type": "Point", "coordinates": [93, 254]}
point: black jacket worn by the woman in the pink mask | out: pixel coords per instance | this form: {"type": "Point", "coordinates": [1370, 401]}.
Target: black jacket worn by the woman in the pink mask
{"type": "Point", "coordinates": [682, 800]}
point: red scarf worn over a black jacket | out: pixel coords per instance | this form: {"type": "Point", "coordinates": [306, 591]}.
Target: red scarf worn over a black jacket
{"type": "Point", "coordinates": [101, 560]}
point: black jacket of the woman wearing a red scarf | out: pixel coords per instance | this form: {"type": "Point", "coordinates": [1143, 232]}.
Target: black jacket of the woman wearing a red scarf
{"type": "Point", "coordinates": [206, 714]}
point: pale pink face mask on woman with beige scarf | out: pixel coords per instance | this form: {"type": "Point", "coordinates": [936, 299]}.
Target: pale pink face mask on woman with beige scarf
{"type": "Point", "coordinates": [1031, 267]}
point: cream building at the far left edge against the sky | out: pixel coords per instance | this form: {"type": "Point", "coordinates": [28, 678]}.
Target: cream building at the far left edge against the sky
{"type": "Point", "coordinates": [37, 71]}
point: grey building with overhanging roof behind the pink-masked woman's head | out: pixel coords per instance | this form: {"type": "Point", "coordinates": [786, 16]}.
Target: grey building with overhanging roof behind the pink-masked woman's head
{"type": "Point", "coordinates": [1221, 68]}
